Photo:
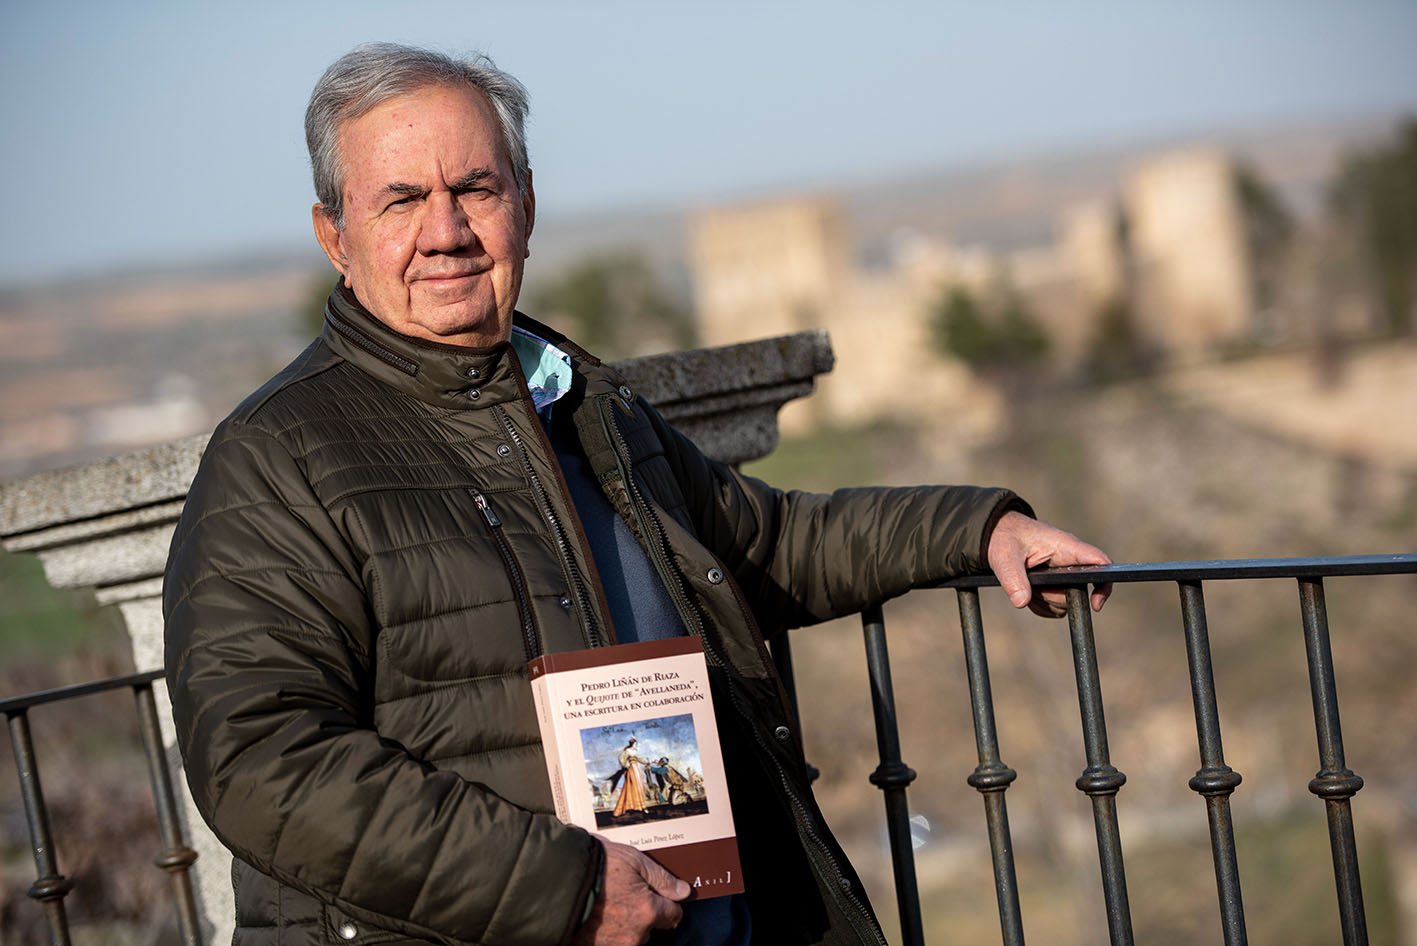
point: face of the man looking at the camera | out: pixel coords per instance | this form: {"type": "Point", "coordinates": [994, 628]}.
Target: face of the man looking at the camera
{"type": "Point", "coordinates": [436, 232]}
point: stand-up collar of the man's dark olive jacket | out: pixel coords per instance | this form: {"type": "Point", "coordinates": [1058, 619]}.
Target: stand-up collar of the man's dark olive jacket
{"type": "Point", "coordinates": [444, 376]}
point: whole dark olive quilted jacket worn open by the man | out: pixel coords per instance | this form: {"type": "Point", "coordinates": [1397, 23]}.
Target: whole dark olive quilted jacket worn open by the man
{"type": "Point", "coordinates": [376, 545]}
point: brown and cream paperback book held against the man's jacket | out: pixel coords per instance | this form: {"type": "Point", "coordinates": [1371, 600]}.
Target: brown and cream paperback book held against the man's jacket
{"type": "Point", "coordinates": [633, 751]}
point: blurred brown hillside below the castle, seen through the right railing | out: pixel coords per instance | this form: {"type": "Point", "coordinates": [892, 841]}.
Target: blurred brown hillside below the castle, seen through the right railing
{"type": "Point", "coordinates": [1181, 468]}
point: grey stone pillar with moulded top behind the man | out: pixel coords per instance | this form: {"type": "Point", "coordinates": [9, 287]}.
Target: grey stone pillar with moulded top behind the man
{"type": "Point", "coordinates": [107, 526]}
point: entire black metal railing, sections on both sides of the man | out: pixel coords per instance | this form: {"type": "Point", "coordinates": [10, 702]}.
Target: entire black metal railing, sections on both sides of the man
{"type": "Point", "coordinates": [1100, 781]}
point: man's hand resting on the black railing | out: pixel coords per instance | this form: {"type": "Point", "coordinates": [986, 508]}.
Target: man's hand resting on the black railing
{"type": "Point", "coordinates": [1021, 543]}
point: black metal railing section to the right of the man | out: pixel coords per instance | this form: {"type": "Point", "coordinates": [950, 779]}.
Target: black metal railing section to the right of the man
{"type": "Point", "coordinates": [1100, 781]}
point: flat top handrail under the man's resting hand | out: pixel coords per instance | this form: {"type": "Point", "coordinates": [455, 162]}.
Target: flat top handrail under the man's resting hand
{"type": "Point", "coordinates": [1207, 570]}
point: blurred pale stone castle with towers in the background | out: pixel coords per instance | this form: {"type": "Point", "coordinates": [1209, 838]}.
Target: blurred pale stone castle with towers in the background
{"type": "Point", "coordinates": [1170, 247]}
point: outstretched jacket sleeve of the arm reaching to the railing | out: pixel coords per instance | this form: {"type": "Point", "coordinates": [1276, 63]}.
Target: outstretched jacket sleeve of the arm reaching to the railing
{"type": "Point", "coordinates": [810, 557]}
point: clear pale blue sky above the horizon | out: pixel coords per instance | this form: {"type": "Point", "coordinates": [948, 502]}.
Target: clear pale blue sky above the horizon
{"type": "Point", "coordinates": [162, 134]}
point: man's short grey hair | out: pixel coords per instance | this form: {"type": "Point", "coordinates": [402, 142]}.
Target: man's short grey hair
{"type": "Point", "coordinates": [372, 74]}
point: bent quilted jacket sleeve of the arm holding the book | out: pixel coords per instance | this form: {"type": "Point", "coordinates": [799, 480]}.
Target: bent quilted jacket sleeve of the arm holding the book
{"type": "Point", "coordinates": [270, 663]}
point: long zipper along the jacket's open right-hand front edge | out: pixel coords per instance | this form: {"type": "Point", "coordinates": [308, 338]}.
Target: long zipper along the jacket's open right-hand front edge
{"type": "Point", "coordinates": [674, 583]}
